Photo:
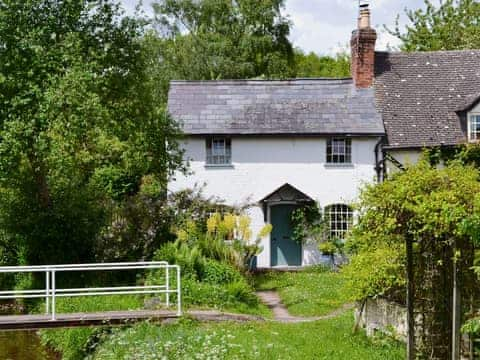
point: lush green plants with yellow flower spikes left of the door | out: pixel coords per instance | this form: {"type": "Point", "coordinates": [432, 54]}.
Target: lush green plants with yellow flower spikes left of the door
{"type": "Point", "coordinates": [215, 262]}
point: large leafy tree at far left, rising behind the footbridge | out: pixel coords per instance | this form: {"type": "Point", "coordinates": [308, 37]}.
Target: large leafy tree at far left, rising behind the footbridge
{"type": "Point", "coordinates": [80, 124]}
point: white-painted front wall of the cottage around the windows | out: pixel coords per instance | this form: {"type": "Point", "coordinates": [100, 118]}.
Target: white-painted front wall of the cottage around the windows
{"type": "Point", "coordinates": [262, 164]}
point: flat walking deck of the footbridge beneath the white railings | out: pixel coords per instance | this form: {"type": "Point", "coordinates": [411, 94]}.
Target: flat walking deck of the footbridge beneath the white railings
{"type": "Point", "coordinates": [34, 322]}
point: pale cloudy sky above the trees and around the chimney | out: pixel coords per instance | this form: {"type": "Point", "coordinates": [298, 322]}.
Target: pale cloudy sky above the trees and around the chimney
{"type": "Point", "coordinates": [325, 26]}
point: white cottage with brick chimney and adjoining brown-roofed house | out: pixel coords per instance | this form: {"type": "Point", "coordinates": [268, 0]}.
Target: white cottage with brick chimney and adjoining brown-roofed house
{"type": "Point", "coordinates": [278, 144]}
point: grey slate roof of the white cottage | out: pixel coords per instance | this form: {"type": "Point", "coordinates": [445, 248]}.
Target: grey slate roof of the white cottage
{"type": "Point", "coordinates": [266, 107]}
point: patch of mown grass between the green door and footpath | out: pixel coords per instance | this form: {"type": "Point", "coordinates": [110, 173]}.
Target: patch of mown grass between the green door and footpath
{"type": "Point", "coordinates": [312, 292]}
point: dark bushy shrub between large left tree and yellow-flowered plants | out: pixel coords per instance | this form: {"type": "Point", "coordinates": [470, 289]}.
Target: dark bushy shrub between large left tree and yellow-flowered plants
{"type": "Point", "coordinates": [141, 224]}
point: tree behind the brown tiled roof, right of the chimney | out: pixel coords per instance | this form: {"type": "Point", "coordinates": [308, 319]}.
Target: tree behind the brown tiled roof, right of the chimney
{"type": "Point", "coordinates": [452, 25]}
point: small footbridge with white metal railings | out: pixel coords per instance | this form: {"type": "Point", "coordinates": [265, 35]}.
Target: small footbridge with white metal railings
{"type": "Point", "coordinates": [168, 288]}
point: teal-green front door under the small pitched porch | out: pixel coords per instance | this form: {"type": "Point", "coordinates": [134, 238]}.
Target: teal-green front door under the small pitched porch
{"type": "Point", "coordinates": [284, 251]}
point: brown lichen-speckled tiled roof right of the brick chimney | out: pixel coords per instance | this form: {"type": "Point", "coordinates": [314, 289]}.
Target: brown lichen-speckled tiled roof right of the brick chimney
{"type": "Point", "coordinates": [419, 95]}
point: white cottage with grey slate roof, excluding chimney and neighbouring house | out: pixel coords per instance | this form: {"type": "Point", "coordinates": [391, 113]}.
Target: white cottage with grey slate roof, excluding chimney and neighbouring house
{"type": "Point", "coordinates": [276, 145]}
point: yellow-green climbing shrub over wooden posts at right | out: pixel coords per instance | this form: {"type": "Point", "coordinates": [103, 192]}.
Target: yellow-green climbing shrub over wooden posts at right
{"type": "Point", "coordinates": [427, 209]}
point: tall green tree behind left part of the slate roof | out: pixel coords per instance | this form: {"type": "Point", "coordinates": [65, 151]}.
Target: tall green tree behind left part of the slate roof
{"type": "Point", "coordinates": [212, 39]}
